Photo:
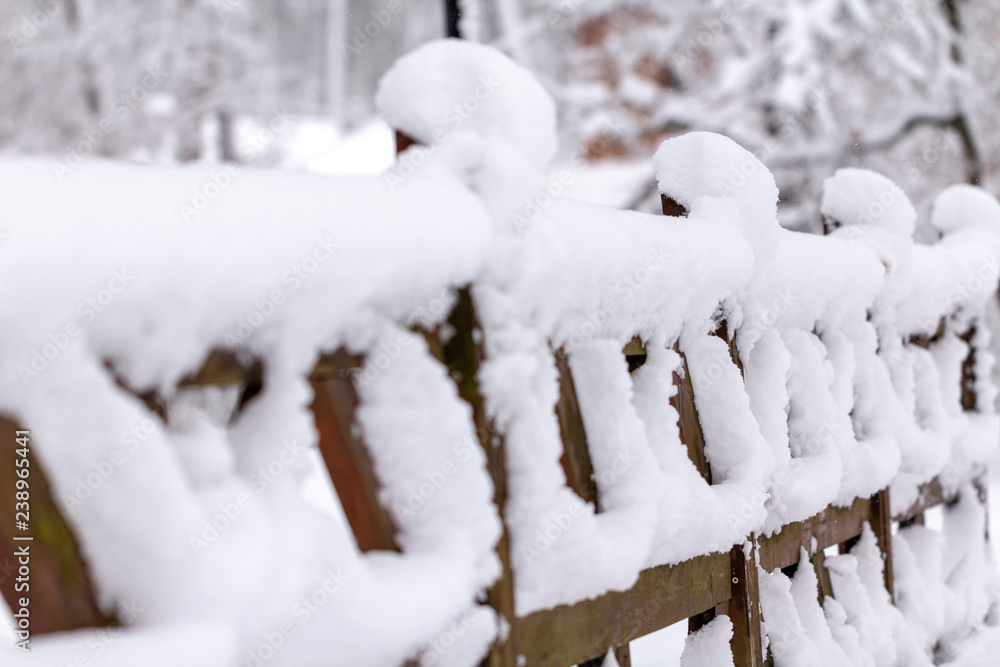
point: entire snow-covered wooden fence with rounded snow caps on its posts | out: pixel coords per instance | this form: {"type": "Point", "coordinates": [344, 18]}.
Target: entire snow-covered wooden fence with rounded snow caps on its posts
{"type": "Point", "coordinates": [552, 427]}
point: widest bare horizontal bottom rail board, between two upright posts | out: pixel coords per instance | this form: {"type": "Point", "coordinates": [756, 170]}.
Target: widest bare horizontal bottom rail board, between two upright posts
{"type": "Point", "coordinates": [572, 634]}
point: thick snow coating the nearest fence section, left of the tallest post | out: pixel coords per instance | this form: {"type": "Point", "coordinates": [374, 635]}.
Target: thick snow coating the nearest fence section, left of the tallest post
{"type": "Point", "coordinates": [107, 270]}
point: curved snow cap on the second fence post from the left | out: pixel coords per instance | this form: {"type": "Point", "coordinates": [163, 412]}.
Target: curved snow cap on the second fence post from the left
{"type": "Point", "coordinates": [699, 167]}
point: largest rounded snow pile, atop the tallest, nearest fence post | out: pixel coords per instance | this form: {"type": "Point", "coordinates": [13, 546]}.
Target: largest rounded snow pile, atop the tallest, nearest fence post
{"type": "Point", "coordinates": [449, 84]}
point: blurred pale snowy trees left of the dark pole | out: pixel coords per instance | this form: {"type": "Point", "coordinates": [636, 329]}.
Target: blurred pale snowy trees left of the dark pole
{"type": "Point", "coordinates": [169, 81]}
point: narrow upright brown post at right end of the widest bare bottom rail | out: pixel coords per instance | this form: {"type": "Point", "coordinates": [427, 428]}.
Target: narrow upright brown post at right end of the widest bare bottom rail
{"type": "Point", "coordinates": [744, 606]}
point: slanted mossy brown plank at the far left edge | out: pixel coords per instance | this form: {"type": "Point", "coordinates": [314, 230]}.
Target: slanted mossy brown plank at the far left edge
{"type": "Point", "coordinates": [61, 595]}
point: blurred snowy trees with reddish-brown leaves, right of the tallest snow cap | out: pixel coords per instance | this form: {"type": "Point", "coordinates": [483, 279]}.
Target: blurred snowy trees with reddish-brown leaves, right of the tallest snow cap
{"type": "Point", "coordinates": [900, 86]}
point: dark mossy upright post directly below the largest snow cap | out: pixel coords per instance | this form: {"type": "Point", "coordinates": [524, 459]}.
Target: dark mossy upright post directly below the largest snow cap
{"type": "Point", "coordinates": [463, 354]}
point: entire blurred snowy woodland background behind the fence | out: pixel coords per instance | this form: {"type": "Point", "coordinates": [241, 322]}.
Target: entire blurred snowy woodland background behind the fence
{"type": "Point", "coordinates": [901, 86]}
